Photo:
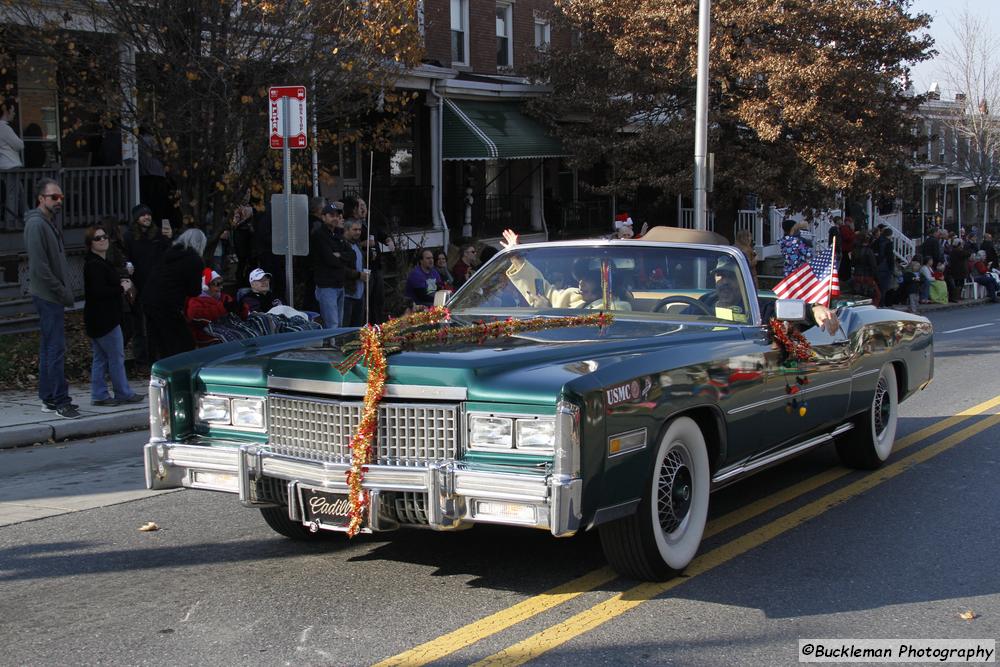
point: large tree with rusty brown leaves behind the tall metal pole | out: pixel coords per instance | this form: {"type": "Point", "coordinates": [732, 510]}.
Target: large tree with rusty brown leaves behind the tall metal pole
{"type": "Point", "coordinates": [806, 98]}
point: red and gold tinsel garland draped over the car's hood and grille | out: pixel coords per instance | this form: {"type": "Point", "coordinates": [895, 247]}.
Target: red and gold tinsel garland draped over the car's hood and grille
{"type": "Point", "coordinates": [376, 342]}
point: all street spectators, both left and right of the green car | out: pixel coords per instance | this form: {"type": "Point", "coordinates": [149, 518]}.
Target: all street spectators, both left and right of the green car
{"type": "Point", "coordinates": [163, 294]}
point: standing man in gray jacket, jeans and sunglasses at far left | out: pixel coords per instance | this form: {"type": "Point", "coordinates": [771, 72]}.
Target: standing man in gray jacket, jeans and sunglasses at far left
{"type": "Point", "coordinates": [48, 276]}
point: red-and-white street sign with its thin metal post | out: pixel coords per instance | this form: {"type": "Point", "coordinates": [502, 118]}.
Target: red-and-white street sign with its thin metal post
{"type": "Point", "coordinates": [287, 130]}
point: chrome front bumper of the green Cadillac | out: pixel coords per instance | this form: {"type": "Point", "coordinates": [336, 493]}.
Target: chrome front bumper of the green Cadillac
{"type": "Point", "coordinates": [457, 492]}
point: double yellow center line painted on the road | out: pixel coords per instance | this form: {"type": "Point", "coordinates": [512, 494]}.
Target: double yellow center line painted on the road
{"type": "Point", "coordinates": [551, 637]}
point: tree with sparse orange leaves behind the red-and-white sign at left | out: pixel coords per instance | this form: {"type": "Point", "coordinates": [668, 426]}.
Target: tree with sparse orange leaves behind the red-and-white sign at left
{"type": "Point", "coordinates": [195, 73]}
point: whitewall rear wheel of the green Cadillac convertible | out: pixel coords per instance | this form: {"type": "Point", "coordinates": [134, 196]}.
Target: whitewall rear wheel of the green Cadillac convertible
{"type": "Point", "coordinates": [869, 443]}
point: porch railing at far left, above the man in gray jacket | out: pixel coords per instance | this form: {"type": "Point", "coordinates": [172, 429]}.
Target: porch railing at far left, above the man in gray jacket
{"type": "Point", "coordinates": [92, 193]}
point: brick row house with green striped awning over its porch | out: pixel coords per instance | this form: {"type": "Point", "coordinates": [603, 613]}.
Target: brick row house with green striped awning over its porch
{"type": "Point", "coordinates": [474, 162]}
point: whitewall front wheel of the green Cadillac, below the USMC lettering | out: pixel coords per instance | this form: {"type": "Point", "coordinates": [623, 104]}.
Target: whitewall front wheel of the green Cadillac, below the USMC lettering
{"type": "Point", "coordinates": [663, 536]}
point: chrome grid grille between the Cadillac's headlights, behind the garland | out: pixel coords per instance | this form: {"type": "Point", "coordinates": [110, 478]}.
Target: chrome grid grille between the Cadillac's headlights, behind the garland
{"type": "Point", "coordinates": [321, 430]}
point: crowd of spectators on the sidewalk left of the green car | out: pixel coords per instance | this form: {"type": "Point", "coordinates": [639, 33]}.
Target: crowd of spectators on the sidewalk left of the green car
{"type": "Point", "coordinates": [162, 293]}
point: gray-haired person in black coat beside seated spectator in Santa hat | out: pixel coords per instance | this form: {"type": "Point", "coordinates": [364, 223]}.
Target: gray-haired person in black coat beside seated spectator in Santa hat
{"type": "Point", "coordinates": [176, 277]}
